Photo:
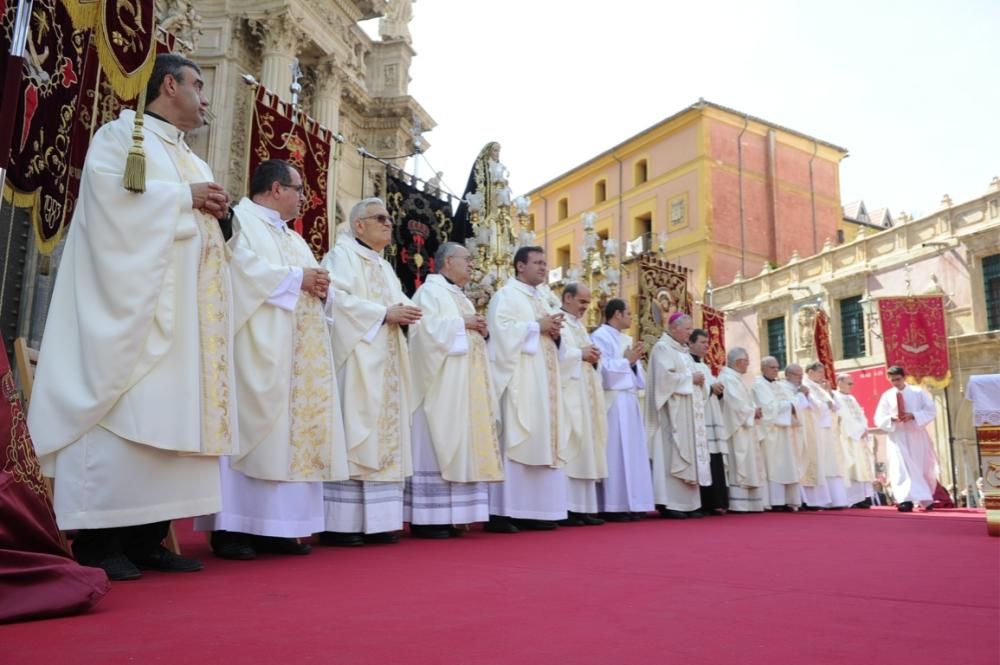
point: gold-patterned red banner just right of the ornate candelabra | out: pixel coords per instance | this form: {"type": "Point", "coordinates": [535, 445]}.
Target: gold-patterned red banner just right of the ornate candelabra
{"type": "Point", "coordinates": [662, 291]}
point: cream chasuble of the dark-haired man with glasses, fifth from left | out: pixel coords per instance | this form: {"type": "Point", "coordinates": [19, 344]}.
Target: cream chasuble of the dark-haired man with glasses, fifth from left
{"type": "Point", "coordinates": [526, 377]}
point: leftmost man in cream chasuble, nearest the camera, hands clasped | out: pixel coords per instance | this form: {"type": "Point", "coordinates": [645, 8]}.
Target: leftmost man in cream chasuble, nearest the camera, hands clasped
{"type": "Point", "coordinates": [134, 395]}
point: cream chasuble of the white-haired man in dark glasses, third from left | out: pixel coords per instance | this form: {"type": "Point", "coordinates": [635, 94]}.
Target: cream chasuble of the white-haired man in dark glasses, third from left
{"type": "Point", "coordinates": [373, 364]}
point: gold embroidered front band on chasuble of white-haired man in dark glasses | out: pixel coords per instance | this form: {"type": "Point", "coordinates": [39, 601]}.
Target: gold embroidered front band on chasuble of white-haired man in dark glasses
{"type": "Point", "coordinates": [388, 427]}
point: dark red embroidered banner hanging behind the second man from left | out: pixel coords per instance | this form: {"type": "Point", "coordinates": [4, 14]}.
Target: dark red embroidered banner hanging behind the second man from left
{"type": "Point", "coordinates": [277, 132]}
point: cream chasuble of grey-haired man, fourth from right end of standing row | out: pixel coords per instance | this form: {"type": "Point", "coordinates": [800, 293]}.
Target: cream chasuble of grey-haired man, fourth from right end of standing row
{"type": "Point", "coordinates": [780, 432]}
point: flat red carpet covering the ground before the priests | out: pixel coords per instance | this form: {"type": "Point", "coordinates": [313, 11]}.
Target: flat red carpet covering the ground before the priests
{"type": "Point", "coordinates": [841, 587]}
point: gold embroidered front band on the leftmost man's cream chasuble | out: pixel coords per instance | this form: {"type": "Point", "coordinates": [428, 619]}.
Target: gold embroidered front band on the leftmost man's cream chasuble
{"type": "Point", "coordinates": [213, 318]}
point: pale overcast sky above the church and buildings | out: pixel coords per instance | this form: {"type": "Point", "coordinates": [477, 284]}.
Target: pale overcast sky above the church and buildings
{"type": "Point", "coordinates": [909, 87]}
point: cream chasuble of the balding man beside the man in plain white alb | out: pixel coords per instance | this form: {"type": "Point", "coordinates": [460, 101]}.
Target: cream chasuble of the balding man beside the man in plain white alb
{"type": "Point", "coordinates": [583, 404]}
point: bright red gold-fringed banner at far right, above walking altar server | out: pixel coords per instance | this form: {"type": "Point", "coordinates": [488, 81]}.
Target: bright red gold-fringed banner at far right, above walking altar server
{"type": "Point", "coordinates": [915, 336]}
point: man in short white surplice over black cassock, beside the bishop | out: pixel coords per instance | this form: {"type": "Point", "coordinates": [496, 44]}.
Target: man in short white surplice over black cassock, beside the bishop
{"type": "Point", "coordinates": [714, 493]}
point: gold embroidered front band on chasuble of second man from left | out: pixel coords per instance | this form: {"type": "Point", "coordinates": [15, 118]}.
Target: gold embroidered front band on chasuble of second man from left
{"type": "Point", "coordinates": [312, 389]}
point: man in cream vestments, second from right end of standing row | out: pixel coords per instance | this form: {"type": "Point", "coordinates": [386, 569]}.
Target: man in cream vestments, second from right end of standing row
{"type": "Point", "coordinates": [826, 424]}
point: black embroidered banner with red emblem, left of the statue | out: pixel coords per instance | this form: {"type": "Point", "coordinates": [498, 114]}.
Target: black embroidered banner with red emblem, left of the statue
{"type": "Point", "coordinates": [421, 222]}
